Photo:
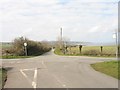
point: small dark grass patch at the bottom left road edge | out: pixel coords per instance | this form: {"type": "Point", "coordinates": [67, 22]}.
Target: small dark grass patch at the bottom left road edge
{"type": "Point", "coordinates": [3, 77]}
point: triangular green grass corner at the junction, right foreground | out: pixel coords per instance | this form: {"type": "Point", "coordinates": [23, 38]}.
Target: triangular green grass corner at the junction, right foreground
{"type": "Point", "coordinates": [110, 68]}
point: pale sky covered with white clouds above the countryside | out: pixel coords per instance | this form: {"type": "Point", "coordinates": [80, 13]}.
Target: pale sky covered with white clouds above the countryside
{"type": "Point", "coordinates": [41, 20]}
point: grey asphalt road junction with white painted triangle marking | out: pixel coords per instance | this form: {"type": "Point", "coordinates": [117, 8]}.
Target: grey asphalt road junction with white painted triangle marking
{"type": "Point", "coordinates": [53, 71]}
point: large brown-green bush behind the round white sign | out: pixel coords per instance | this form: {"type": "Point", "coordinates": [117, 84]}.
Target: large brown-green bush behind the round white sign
{"type": "Point", "coordinates": [33, 48]}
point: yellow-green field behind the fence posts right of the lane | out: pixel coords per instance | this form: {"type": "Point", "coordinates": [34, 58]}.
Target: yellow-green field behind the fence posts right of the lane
{"type": "Point", "coordinates": [109, 51]}
